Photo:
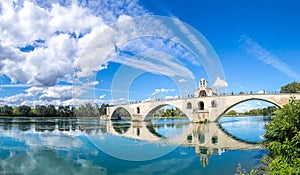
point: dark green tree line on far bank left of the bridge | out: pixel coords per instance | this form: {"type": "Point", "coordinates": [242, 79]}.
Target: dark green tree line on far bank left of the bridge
{"type": "Point", "coordinates": [87, 110]}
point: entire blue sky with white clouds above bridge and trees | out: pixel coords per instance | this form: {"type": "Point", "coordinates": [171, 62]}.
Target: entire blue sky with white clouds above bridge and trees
{"type": "Point", "coordinates": [45, 49]}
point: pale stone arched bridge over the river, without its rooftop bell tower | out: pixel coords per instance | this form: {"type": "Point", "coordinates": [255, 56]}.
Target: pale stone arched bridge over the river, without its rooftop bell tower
{"type": "Point", "coordinates": [198, 109]}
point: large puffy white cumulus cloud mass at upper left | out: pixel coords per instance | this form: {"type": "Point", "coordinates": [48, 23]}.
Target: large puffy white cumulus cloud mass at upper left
{"type": "Point", "coordinates": [53, 35]}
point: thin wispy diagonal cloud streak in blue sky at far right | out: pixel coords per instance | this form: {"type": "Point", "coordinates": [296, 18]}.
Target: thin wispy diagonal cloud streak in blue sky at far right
{"type": "Point", "coordinates": [255, 50]}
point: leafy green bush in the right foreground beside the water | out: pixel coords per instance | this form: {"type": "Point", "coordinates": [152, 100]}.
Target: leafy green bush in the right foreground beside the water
{"type": "Point", "coordinates": [282, 138]}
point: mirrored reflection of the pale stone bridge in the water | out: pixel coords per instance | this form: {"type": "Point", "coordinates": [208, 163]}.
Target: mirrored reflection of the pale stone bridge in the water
{"type": "Point", "coordinates": [207, 139]}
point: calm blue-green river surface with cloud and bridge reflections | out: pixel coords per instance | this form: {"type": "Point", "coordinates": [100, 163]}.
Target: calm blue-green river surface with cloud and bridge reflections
{"type": "Point", "coordinates": [166, 146]}
